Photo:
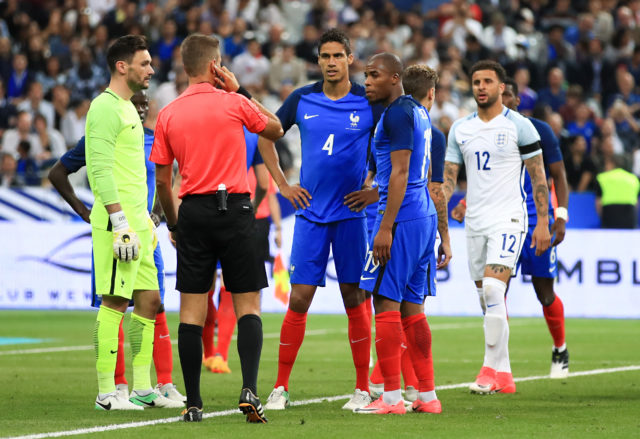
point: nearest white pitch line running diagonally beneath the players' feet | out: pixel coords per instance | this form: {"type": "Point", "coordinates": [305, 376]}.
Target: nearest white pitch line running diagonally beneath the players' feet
{"type": "Point", "coordinates": [112, 427]}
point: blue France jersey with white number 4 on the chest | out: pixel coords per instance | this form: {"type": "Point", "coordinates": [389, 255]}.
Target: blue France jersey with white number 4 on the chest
{"type": "Point", "coordinates": [335, 140]}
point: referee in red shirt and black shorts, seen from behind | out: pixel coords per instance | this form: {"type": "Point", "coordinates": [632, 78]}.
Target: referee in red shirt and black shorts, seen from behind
{"type": "Point", "coordinates": [202, 130]}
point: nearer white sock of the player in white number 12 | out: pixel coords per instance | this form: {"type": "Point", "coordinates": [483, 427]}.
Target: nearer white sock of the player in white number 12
{"type": "Point", "coordinates": [496, 327]}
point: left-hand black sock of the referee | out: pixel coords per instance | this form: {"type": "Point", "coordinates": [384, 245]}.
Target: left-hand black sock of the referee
{"type": "Point", "coordinates": [190, 351]}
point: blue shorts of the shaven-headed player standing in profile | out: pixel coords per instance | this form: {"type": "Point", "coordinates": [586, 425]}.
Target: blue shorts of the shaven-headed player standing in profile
{"type": "Point", "coordinates": [410, 273]}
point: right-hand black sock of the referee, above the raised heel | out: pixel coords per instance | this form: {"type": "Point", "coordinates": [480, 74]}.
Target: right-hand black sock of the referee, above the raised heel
{"type": "Point", "coordinates": [249, 349]}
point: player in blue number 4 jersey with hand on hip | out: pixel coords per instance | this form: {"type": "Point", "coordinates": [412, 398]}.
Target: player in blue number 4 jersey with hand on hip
{"type": "Point", "coordinates": [335, 122]}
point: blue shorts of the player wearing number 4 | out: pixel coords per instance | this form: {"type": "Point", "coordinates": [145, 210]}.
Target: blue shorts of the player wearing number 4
{"type": "Point", "coordinates": [310, 250]}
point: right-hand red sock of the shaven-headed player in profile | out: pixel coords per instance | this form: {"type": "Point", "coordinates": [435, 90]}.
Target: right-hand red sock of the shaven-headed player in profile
{"type": "Point", "coordinates": [418, 336]}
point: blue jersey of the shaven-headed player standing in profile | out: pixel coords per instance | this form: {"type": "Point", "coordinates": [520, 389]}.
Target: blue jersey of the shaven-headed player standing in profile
{"type": "Point", "coordinates": [405, 124]}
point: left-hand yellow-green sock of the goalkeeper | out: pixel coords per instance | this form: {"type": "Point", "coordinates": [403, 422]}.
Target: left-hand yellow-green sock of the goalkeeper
{"type": "Point", "coordinates": [105, 341]}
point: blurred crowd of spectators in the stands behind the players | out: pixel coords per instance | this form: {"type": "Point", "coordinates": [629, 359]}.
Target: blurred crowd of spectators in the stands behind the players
{"type": "Point", "coordinates": [577, 64]}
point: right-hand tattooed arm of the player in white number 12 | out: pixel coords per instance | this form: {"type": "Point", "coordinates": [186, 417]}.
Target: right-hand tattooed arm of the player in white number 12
{"type": "Point", "coordinates": [540, 239]}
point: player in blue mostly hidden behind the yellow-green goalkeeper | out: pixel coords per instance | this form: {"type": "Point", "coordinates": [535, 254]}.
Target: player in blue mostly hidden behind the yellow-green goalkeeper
{"type": "Point", "coordinates": [73, 161]}
